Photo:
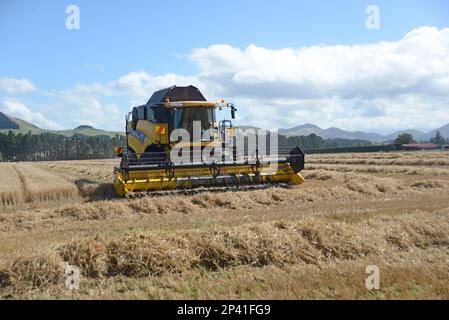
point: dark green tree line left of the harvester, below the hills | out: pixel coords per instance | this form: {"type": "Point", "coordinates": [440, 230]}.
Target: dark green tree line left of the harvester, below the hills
{"type": "Point", "coordinates": [51, 146]}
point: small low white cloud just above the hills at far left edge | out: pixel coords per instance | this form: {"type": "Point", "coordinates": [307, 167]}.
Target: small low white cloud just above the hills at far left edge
{"type": "Point", "coordinates": [18, 109]}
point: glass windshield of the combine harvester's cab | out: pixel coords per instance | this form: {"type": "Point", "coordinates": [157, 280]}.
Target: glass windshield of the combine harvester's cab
{"type": "Point", "coordinates": [183, 118]}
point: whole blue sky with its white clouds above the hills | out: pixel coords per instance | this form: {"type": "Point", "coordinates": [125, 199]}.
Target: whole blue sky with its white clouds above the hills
{"type": "Point", "coordinates": [94, 74]}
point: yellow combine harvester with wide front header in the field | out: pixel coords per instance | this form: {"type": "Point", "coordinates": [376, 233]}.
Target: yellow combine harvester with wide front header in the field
{"type": "Point", "coordinates": [175, 143]}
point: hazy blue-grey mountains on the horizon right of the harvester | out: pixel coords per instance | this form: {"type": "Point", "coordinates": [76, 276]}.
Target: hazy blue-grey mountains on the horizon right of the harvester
{"type": "Point", "coordinates": [333, 132]}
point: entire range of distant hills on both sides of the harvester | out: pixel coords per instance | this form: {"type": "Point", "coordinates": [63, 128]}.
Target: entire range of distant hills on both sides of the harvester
{"type": "Point", "coordinates": [8, 123]}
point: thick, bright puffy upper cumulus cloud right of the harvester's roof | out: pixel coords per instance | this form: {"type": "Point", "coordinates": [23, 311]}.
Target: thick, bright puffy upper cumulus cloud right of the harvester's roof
{"type": "Point", "coordinates": [418, 63]}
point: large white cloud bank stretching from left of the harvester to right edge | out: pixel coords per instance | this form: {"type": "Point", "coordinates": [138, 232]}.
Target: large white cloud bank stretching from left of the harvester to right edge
{"type": "Point", "coordinates": [382, 86]}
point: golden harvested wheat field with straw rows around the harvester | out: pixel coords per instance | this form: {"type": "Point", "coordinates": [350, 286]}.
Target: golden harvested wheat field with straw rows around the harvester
{"type": "Point", "coordinates": [306, 242]}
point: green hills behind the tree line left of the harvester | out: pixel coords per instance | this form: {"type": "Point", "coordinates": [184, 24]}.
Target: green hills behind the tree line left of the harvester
{"type": "Point", "coordinates": [8, 123]}
